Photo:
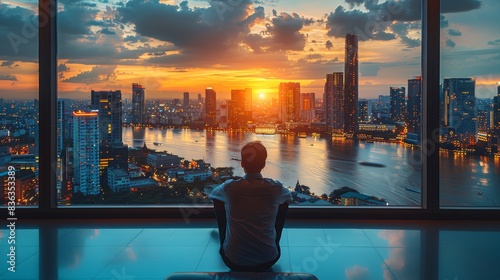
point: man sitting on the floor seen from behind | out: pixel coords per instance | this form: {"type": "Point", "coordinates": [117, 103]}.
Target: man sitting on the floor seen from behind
{"type": "Point", "coordinates": [251, 213]}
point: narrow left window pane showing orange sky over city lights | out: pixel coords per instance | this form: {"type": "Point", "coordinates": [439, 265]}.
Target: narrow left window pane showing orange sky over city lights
{"type": "Point", "coordinates": [19, 102]}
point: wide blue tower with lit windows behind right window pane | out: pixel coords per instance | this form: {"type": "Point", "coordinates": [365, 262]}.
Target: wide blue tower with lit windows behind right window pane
{"type": "Point", "coordinates": [461, 111]}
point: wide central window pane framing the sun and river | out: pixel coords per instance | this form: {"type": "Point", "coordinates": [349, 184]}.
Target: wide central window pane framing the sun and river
{"type": "Point", "coordinates": [156, 99]}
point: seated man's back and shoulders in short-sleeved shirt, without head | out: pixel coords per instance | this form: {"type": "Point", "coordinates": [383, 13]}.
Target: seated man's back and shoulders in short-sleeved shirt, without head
{"type": "Point", "coordinates": [251, 205]}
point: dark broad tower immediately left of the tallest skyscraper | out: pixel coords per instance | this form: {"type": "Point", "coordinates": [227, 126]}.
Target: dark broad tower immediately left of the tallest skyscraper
{"type": "Point", "coordinates": [334, 103]}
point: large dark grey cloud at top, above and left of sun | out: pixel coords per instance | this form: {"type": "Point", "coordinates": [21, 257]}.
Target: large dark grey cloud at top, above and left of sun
{"type": "Point", "coordinates": [209, 30]}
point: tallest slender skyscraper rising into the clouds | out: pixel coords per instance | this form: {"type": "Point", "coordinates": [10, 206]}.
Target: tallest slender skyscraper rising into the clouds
{"type": "Point", "coordinates": [351, 86]}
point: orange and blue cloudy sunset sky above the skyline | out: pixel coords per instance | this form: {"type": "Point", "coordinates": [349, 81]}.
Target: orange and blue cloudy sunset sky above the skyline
{"type": "Point", "coordinates": [280, 42]}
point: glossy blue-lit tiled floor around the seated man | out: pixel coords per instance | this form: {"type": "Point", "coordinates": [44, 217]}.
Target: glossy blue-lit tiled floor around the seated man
{"type": "Point", "coordinates": [355, 250]}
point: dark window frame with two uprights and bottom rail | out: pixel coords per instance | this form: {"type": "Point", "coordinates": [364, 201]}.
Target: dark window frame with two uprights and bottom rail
{"type": "Point", "coordinates": [430, 208]}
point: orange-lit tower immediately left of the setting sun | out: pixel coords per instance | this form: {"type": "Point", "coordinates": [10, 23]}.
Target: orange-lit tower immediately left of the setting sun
{"type": "Point", "coordinates": [239, 113]}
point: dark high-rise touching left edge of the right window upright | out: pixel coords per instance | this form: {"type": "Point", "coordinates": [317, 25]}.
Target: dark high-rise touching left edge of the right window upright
{"type": "Point", "coordinates": [414, 111]}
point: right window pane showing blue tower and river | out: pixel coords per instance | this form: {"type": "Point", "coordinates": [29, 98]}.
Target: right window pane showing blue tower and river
{"type": "Point", "coordinates": [470, 104]}
